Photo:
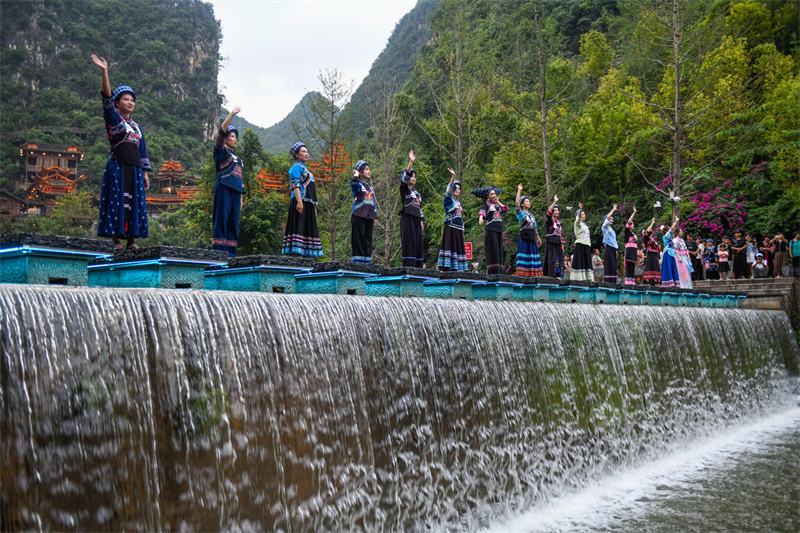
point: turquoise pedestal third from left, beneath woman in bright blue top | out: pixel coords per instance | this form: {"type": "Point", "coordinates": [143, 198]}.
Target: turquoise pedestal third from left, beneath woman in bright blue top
{"type": "Point", "coordinates": [261, 278]}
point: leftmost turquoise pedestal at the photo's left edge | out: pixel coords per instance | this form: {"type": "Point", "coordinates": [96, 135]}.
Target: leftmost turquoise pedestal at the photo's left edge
{"type": "Point", "coordinates": [45, 266]}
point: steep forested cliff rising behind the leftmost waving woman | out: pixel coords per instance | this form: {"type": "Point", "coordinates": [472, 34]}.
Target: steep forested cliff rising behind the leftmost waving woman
{"type": "Point", "coordinates": [166, 50]}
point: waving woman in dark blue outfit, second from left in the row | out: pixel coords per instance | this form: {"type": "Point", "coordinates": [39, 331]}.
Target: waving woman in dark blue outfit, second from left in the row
{"type": "Point", "coordinates": [228, 188]}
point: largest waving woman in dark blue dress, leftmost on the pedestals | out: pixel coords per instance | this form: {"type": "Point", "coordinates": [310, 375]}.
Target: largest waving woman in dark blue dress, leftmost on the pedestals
{"type": "Point", "coordinates": [123, 205]}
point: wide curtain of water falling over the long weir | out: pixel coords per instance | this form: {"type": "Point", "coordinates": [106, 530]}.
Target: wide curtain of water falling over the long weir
{"type": "Point", "coordinates": [162, 410]}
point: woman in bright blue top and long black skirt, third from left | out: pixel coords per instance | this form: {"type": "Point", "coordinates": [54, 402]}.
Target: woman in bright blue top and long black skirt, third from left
{"type": "Point", "coordinates": [302, 235]}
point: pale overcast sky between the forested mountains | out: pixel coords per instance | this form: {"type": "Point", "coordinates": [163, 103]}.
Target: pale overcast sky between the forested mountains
{"type": "Point", "coordinates": [273, 50]}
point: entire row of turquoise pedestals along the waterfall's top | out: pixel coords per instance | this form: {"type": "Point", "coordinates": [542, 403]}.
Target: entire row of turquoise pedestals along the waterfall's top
{"type": "Point", "coordinates": [70, 268]}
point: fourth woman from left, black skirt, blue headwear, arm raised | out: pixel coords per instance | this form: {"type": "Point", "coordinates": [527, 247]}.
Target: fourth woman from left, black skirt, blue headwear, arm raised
{"type": "Point", "coordinates": [363, 215]}
